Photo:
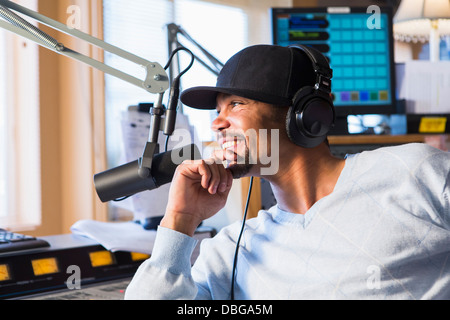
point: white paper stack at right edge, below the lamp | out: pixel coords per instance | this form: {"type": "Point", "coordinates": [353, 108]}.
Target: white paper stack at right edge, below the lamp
{"type": "Point", "coordinates": [427, 87]}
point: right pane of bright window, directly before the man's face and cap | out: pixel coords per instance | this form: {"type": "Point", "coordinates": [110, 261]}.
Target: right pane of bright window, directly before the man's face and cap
{"type": "Point", "coordinates": [226, 34]}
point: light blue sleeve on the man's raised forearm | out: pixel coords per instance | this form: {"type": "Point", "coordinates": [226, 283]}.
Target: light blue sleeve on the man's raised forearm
{"type": "Point", "coordinates": [167, 274]}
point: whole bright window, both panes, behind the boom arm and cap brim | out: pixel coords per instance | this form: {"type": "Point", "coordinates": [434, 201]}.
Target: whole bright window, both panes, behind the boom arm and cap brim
{"type": "Point", "coordinates": [140, 29]}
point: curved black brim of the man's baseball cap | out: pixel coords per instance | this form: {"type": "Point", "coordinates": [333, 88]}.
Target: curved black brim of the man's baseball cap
{"type": "Point", "coordinates": [206, 97]}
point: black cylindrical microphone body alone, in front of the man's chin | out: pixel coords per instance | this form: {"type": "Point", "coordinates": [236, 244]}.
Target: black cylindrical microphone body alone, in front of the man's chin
{"type": "Point", "coordinates": [126, 180]}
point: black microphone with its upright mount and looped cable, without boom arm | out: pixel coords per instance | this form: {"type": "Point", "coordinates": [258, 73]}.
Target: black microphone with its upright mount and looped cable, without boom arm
{"type": "Point", "coordinates": [150, 171]}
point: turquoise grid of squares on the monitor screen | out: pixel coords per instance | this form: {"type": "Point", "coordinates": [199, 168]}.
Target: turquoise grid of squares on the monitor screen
{"type": "Point", "coordinates": [360, 60]}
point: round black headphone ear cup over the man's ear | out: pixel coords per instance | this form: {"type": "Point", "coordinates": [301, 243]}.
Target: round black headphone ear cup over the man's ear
{"type": "Point", "coordinates": [310, 118]}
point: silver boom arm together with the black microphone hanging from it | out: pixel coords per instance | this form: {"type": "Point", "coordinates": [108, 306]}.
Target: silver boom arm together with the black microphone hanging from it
{"type": "Point", "coordinates": [153, 168]}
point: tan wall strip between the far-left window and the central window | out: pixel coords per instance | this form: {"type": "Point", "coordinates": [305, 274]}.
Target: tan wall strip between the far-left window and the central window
{"type": "Point", "coordinates": [72, 122]}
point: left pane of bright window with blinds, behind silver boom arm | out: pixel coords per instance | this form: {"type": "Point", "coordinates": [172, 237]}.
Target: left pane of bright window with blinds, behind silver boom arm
{"type": "Point", "coordinates": [137, 28]}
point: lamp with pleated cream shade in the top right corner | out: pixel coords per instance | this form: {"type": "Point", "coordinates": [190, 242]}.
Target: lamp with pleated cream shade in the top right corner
{"type": "Point", "coordinates": [422, 20]}
